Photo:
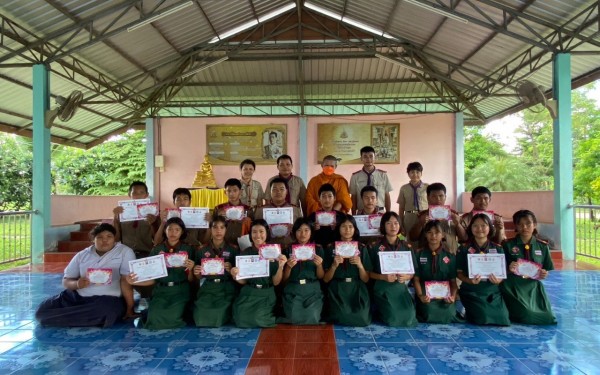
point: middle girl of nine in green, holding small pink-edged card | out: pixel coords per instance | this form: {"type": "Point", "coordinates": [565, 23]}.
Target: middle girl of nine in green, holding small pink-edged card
{"type": "Point", "coordinates": [347, 278]}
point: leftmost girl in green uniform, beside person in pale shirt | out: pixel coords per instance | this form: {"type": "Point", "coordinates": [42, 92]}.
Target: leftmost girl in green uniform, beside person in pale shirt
{"type": "Point", "coordinates": [172, 292]}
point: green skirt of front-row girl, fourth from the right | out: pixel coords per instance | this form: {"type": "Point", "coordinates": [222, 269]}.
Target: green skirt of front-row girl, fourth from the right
{"type": "Point", "coordinates": [395, 306]}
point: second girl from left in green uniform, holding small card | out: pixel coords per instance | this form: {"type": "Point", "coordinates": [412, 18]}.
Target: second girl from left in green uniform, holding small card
{"type": "Point", "coordinates": [212, 307]}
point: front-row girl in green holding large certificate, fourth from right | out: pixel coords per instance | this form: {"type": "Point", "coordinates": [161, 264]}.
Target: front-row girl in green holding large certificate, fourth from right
{"type": "Point", "coordinates": [394, 304]}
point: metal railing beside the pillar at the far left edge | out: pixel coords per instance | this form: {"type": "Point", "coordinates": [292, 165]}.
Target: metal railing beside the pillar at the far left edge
{"type": "Point", "coordinates": [15, 236]}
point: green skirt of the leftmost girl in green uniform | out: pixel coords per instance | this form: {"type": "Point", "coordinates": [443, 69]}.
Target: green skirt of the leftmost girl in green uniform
{"type": "Point", "coordinates": [165, 310]}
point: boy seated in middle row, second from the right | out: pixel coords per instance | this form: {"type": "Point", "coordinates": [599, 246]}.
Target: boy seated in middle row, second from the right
{"type": "Point", "coordinates": [453, 231]}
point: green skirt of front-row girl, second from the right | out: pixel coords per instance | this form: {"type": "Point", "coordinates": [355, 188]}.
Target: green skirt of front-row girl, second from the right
{"type": "Point", "coordinates": [484, 304]}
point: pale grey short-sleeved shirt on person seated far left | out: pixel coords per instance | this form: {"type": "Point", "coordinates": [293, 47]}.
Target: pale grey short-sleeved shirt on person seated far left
{"type": "Point", "coordinates": [116, 259]}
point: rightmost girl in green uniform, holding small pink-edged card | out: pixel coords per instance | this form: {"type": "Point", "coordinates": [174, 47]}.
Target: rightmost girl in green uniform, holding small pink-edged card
{"type": "Point", "coordinates": [526, 298]}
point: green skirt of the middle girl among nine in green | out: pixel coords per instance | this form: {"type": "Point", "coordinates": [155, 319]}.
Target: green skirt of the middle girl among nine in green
{"type": "Point", "coordinates": [349, 303]}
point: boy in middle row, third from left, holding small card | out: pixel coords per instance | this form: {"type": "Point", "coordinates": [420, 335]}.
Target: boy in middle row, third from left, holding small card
{"type": "Point", "coordinates": [236, 219]}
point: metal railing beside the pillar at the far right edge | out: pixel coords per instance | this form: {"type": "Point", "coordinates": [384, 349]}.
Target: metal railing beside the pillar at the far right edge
{"type": "Point", "coordinates": [587, 230]}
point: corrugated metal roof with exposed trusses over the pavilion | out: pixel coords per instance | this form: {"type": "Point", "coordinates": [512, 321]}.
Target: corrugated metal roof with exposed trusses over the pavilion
{"type": "Point", "coordinates": [135, 59]}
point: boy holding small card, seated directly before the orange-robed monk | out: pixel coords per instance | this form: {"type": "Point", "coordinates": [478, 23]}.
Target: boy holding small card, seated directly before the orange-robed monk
{"type": "Point", "coordinates": [325, 233]}
